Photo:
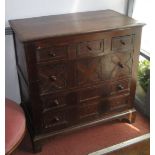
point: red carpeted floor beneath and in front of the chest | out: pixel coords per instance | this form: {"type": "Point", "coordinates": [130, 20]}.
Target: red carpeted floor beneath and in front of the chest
{"type": "Point", "coordinates": [88, 140]}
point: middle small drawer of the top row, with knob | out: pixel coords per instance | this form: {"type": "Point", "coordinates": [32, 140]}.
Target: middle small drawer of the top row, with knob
{"type": "Point", "coordinates": [89, 48]}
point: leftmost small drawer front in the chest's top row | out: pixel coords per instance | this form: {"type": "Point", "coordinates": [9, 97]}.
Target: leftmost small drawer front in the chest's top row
{"type": "Point", "coordinates": [51, 53]}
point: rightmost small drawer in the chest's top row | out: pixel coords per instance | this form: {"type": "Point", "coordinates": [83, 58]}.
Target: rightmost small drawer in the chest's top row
{"type": "Point", "coordinates": [122, 43]}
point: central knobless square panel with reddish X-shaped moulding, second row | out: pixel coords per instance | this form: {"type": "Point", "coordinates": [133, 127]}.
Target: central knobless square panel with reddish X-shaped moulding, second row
{"type": "Point", "coordinates": [89, 71]}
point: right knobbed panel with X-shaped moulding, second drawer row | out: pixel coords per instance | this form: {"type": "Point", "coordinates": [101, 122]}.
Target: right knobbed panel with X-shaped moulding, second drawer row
{"type": "Point", "coordinates": [118, 65]}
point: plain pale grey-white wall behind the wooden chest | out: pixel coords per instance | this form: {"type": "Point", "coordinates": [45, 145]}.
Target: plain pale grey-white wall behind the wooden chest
{"type": "Point", "coordinates": [31, 8]}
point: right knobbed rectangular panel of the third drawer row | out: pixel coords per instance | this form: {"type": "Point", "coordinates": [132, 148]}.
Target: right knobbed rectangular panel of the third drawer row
{"type": "Point", "coordinates": [120, 86]}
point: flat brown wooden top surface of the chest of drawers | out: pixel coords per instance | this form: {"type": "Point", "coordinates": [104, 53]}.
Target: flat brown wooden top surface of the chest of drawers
{"type": "Point", "coordinates": [29, 29]}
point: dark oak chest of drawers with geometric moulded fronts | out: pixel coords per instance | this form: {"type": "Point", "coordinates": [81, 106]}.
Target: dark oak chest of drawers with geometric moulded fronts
{"type": "Point", "coordinates": [76, 70]}
